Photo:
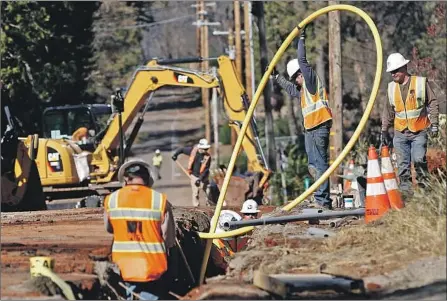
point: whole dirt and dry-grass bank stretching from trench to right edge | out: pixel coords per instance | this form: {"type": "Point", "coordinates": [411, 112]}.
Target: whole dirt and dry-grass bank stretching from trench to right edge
{"type": "Point", "coordinates": [397, 239]}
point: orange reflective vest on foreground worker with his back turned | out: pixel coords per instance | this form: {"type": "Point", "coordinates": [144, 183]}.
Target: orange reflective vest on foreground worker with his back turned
{"type": "Point", "coordinates": [136, 213]}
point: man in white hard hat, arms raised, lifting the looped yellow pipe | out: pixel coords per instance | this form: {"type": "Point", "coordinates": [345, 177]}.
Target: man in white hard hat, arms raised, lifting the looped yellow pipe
{"type": "Point", "coordinates": [307, 86]}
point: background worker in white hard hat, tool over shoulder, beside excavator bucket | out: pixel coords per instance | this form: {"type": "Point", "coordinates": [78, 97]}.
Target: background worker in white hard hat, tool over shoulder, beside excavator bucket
{"type": "Point", "coordinates": [198, 169]}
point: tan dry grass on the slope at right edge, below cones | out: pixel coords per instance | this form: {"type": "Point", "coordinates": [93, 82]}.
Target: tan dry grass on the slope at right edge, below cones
{"type": "Point", "coordinates": [418, 228]}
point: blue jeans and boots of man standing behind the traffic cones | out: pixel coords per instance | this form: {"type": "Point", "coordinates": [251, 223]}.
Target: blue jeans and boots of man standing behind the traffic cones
{"type": "Point", "coordinates": [411, 147]}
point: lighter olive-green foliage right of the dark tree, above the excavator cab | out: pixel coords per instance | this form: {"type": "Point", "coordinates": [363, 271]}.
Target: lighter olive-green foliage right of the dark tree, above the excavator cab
{"type": "Point", "coordinates": [117, 48]}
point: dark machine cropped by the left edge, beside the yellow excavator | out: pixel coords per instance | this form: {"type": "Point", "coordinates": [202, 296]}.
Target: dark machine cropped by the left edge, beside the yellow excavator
{"type": "Point", "coordinates": [21, 186]}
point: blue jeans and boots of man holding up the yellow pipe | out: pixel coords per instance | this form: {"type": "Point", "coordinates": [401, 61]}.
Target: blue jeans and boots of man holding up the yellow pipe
{"type": "Point", "coordinates": [316, 142]}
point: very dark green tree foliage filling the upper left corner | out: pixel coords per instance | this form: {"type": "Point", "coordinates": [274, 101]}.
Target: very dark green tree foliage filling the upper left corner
{"type": "Point", "coordinates": [45, 55]}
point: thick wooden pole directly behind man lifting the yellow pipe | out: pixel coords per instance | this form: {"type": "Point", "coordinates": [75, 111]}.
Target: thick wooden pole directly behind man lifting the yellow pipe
{"type": "Point", "coordinates": [335, 89]}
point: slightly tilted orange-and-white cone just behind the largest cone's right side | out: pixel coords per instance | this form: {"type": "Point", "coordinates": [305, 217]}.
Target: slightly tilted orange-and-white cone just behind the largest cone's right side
{"type": "Point", "coordinates": [389, 178]}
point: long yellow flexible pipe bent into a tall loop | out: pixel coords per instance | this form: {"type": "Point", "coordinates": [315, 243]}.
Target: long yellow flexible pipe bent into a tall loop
{"type": "Point", "coordinates": [211, 235]}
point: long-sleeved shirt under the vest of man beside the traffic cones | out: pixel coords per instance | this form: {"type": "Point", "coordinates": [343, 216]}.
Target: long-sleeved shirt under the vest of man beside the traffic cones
{"type": "Point", "coordinates": [431, 104]}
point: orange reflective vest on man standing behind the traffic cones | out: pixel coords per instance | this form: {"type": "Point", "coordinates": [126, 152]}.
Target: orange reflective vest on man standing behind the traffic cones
{"type": "Point", "coordinates": [412, 113]}
